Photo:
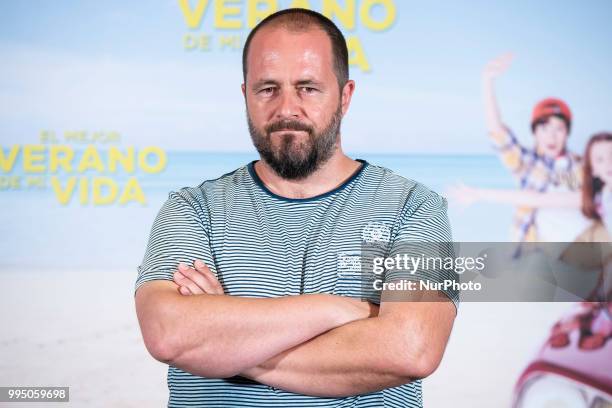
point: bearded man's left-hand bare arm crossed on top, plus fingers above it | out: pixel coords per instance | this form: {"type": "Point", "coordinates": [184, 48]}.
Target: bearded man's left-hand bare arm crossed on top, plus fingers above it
{"type": "Point", "coordinates": [226, 335]}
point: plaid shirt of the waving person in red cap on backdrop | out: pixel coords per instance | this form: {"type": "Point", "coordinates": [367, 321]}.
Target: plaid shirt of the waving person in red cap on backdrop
{"type": "Point", "coordinates": [536, 173]}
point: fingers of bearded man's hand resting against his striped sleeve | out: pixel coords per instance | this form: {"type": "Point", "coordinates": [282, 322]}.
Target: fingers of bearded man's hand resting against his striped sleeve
{"type": "Point", "coordinates": [197, 280]}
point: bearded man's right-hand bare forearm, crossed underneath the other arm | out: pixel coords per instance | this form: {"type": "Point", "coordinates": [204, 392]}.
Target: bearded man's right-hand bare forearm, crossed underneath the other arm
{"type": "Point", "coordinates": [366, 355]}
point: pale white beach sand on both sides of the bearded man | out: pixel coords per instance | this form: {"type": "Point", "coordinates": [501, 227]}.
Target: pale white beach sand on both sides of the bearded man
{"type": "Point", "coordinates": [79, 329]}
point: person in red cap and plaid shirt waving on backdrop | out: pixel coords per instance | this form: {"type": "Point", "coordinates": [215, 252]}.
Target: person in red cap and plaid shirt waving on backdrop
{"type": "Point", "coordinates": [548, 166]}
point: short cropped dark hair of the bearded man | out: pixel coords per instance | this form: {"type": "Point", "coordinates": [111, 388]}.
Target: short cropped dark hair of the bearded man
{"type": "Point", "coordinates": [302, 20]}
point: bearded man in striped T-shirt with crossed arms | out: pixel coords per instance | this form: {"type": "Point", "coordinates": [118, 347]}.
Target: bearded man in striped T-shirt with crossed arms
{"type": "Point", "coordinates": [263, 309]}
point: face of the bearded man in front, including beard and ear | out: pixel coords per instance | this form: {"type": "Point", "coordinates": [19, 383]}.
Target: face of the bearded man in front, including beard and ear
{"type": "Point", "coordinates": [294, 104]}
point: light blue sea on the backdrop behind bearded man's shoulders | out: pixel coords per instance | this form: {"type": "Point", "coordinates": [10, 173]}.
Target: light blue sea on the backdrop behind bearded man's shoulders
{"type": "Point", "coordinates": [39, 232]}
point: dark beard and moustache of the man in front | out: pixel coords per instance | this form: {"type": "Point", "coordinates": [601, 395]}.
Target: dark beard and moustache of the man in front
{"type": "Point", "coordinates": [295, 159]}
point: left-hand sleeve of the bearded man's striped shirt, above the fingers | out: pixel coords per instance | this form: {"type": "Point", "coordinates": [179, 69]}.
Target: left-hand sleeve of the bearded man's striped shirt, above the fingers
{"type": "Point", "coordinates": [179, 234]}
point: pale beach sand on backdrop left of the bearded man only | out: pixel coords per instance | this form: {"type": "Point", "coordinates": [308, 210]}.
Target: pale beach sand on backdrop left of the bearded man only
{"type": "Point", "coordinates": [77, 329]}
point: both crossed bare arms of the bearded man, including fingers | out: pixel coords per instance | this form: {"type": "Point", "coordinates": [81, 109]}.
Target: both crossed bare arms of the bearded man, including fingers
{"type": "Point", "coordinates": [318, 344]}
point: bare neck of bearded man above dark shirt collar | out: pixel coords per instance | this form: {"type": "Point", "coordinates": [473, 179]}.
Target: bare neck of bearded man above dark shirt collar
{"type": "Point", "coordinates": [329, 176]}
